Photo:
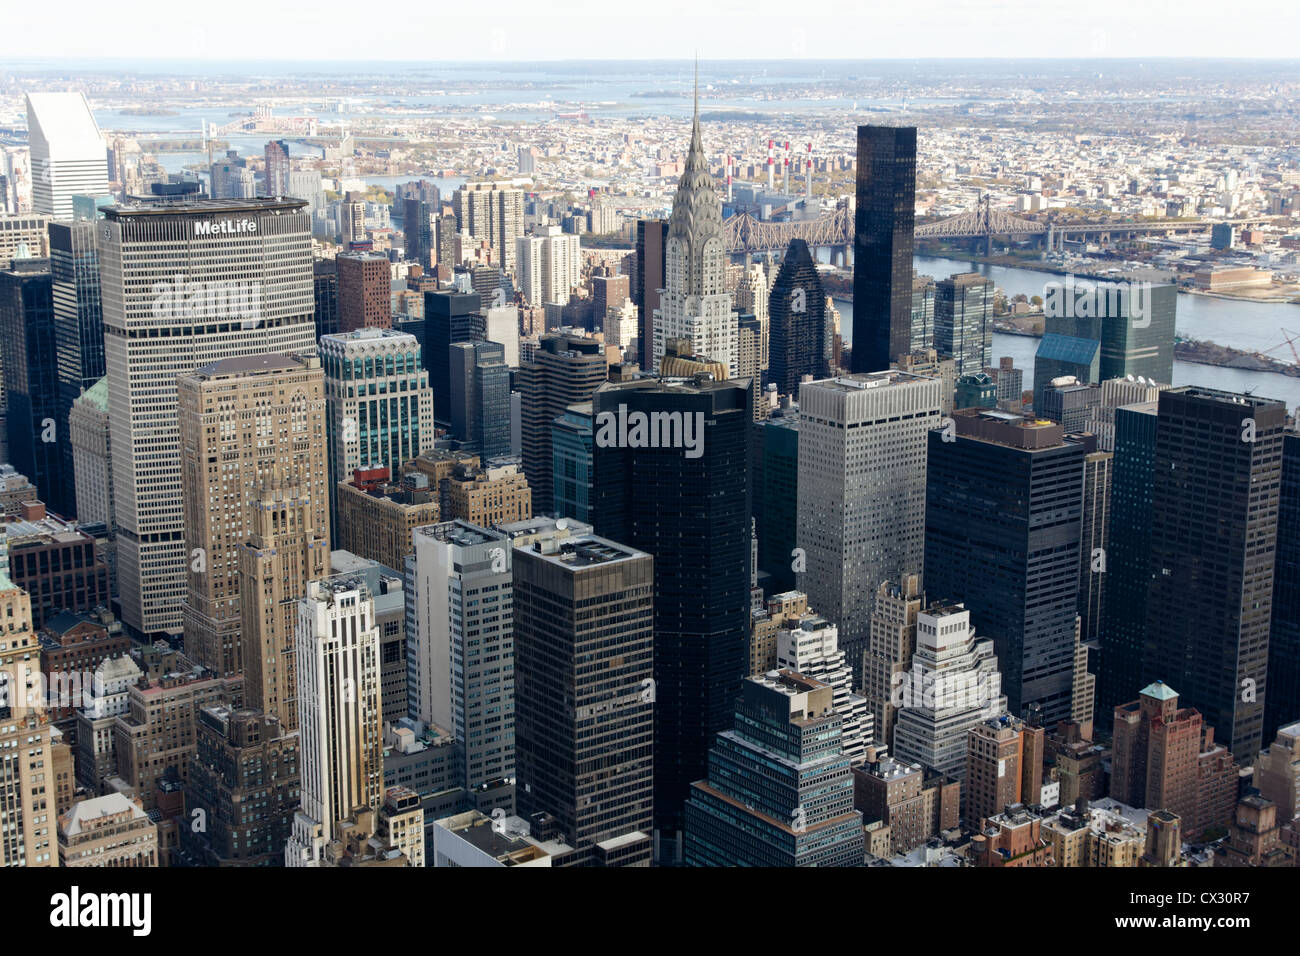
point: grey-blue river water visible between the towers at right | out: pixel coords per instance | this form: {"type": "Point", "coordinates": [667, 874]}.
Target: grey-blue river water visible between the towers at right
{"type": "Point", "coordinates": [1247, 326]}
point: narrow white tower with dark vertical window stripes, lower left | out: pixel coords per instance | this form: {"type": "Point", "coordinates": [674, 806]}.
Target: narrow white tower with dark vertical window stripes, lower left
{"type": "Point", "coordinates": [340, 716]}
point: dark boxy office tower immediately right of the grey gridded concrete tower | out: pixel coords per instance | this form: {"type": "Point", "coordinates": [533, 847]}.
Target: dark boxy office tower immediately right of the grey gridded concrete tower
{"type": "Point", "coordinates": [1003, 525]}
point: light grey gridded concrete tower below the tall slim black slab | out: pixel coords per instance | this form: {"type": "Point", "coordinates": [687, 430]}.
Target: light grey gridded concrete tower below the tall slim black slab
{"type": "Point", "coordinates": [863, 492]}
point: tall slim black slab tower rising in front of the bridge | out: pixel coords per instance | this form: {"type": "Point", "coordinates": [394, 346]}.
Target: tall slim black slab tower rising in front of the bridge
{"type": "Point", "coordinates": [882, 263]}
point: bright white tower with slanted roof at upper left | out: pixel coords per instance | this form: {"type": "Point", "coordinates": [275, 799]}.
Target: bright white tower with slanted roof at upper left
{"type": "Point", "coordinates": [68, 155]}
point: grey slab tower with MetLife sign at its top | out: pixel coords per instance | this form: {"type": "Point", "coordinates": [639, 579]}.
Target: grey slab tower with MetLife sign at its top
{"type": "Point", "coordinates": [184, 285]}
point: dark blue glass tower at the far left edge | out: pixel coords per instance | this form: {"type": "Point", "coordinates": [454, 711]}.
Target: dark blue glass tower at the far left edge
{"type": "Point", "coordinates": [32, 380]}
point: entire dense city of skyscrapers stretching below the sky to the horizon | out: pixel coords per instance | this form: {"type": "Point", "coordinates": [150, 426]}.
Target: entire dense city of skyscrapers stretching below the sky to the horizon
{"type": "Point", "coordinates": [651, 465]}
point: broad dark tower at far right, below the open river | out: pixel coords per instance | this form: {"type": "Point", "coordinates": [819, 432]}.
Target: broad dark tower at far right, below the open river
{"type": "Point", "coordinates": [1214, 537]}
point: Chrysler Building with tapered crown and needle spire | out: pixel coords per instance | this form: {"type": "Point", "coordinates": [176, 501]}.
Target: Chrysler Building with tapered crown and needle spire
{"type": "Point", "coordinates": [696, 304]}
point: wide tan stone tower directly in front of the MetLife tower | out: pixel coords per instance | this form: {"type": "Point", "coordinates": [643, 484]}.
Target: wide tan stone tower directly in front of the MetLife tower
{"type": "Point", "coordinates": [244, 422]}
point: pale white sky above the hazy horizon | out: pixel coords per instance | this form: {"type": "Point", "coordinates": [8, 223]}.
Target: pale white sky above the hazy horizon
{"type": "Point", "coordinates": [528, 31]}
